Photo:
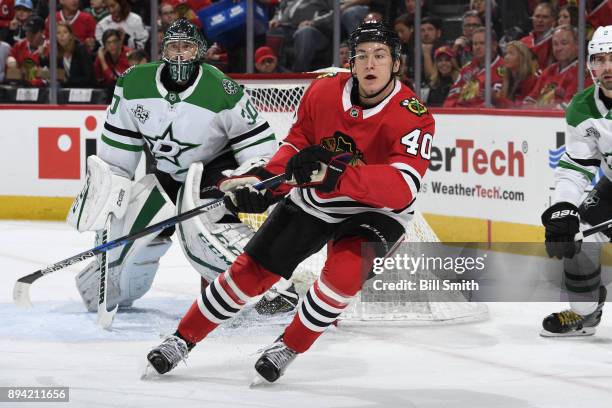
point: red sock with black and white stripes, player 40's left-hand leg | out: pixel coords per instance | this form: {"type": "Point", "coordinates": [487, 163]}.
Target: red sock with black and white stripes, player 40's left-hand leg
{"type": "Point", "coordinates": [225, 297]}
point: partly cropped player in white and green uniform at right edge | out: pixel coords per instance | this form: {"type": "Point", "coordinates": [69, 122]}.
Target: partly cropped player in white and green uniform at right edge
{"type": "Point", "coordinates": [588, 146]}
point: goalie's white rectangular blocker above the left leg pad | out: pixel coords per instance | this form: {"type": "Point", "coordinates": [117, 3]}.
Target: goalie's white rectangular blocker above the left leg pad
{"type": "Point", "coordinates": [104, 193]}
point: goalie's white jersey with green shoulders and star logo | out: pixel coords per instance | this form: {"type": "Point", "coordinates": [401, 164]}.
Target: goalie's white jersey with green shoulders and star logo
{"type": "Point", "coordinates": [210, 118]}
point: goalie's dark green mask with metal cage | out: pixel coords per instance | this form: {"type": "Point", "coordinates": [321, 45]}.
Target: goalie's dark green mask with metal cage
{"type": "Point", "coordinates": [183, 47]}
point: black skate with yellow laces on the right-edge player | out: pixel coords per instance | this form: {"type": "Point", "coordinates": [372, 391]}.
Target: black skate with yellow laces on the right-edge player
{"type": "Point", "coordinates": [570, 324]}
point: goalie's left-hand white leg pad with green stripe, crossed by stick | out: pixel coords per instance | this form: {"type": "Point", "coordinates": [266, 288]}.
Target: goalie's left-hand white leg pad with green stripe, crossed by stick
{"type": "Point", "coordinates": [131, 267]}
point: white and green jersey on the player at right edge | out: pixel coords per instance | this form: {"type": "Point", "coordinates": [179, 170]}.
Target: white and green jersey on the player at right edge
{"type": "Point", "coordinates": [588, 145]}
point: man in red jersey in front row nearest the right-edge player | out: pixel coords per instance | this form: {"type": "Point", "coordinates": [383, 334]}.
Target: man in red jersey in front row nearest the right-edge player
{"type": "Point", "coordinates": [559, 82]}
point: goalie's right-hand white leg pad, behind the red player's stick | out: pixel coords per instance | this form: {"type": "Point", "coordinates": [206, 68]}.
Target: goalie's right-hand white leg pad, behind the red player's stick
{"type": "Point", "coordinates": [210, 247]}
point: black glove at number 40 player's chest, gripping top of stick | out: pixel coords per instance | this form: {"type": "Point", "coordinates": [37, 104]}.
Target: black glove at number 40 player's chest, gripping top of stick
{"type": "Point", "coordinates": [317, 167]}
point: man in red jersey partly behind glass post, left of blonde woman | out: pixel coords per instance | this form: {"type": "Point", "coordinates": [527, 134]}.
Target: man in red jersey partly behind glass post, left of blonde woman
{"type": "Point", "coordinates": [468, 90]}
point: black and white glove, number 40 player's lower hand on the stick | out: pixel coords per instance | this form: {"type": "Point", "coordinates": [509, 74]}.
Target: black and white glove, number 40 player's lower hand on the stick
{"type": "Point", "coordinates": [240, 196]}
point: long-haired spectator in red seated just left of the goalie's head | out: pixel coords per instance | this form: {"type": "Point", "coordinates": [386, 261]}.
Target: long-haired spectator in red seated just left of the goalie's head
{"type": "Point", "coordinates": [112, 58]}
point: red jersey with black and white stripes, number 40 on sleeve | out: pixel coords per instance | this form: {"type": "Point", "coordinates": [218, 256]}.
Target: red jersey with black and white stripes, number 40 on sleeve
{"type": "Point", "coordinates": [390, 142]}
